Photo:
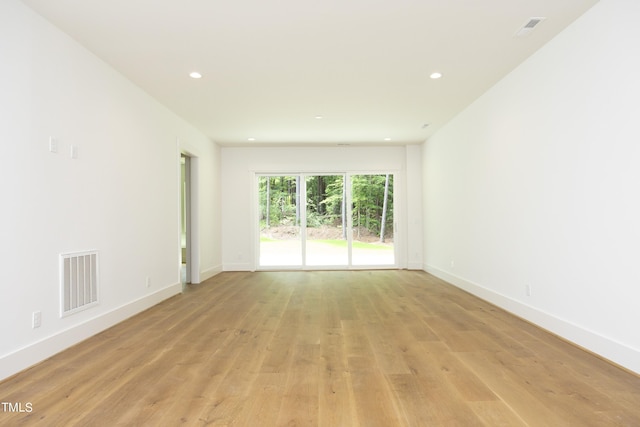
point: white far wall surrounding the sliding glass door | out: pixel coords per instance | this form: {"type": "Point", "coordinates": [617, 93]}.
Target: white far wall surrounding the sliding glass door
{"type": "Point", "coordinates": [239, 166]}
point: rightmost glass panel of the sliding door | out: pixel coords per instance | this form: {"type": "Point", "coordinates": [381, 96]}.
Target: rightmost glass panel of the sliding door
{"type": "Point", "coordinates": [372, 220]}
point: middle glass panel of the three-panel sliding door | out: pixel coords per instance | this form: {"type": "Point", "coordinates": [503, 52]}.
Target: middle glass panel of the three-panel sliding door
{"type": "Point", "coordinates": [326, 237]}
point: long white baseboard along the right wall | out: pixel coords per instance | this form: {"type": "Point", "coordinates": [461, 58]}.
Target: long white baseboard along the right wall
{"type": "Point", "coordinates": [614, 351]}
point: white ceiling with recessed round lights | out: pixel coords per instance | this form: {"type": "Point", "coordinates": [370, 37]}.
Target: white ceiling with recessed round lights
{"type": "Point", "coordinates": [271, 66]}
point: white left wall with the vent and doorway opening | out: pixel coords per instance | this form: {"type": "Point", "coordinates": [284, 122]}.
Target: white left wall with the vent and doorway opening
{"type": "Point", "coordinates": [120, 197]}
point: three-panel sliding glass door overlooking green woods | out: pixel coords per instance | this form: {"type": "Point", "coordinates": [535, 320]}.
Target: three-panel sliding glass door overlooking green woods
{"type": "Point", "coordinates": [326, 221]}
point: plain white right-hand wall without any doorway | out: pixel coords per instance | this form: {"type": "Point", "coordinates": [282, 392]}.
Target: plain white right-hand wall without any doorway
{"type": "Point", "coordinates": [537, 184]}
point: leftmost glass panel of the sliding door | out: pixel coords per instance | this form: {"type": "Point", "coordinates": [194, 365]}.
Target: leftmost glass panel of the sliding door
{"type": "Point", "coordinates": [279, 216]}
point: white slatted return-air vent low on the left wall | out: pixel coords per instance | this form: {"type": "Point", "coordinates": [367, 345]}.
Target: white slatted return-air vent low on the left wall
{"type": "Point", "coordinates": [78, 281]}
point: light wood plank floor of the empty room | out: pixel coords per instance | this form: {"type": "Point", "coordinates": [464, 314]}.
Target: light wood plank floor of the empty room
{"type": "Point", "coordinates": [366, 348]}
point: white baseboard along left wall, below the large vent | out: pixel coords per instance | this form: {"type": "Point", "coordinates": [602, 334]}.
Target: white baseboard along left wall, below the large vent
{"type": "Point", "coordinates": [23, 358]}
